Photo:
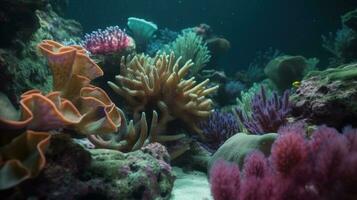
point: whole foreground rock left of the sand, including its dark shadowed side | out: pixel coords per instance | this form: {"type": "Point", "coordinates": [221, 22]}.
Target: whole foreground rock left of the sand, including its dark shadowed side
{"type": "Point", "coordinates": [74, 172]}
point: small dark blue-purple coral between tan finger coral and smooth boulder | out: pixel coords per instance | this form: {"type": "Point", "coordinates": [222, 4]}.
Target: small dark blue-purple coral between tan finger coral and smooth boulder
{"type": "Point", "coordinates": [217, 129]}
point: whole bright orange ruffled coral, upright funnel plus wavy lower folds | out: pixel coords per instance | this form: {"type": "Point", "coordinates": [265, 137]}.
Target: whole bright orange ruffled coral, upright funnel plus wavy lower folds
{"type": "Point", "coordinates": [74, 103]}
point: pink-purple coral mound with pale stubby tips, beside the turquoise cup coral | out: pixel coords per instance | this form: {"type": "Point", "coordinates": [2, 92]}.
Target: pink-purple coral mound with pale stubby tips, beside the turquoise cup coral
{"type": "Point", "coordinates": [110, 40]}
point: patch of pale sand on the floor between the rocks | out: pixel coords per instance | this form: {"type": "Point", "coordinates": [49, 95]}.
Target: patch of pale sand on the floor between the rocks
{"type": "Point", "coordinates": [191, 185]}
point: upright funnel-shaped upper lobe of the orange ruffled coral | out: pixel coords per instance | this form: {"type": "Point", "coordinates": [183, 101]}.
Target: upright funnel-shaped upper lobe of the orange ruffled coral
{"type": "Point", "coordinates": [71, 68]}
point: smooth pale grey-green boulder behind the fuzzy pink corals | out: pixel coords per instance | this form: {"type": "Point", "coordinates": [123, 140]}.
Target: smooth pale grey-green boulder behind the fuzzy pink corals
{"type": "Point", "coordinates": [238, 146]}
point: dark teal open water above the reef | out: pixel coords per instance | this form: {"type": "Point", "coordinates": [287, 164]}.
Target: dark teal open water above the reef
{"type": "Point", "coordinates": [294, 27]}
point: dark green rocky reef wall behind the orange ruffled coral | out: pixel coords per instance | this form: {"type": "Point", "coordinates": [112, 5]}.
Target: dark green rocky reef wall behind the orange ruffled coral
{"type": "Point", "coordinates": [25, 24]}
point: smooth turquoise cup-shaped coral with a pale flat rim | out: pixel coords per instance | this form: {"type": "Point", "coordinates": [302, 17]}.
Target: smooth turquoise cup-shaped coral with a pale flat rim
{"type": "Point", "coordinates": [141, 29]}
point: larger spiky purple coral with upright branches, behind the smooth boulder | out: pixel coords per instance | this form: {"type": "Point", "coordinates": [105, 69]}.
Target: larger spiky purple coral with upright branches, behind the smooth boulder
{"type": "Point", "coordinates": [268, 114]}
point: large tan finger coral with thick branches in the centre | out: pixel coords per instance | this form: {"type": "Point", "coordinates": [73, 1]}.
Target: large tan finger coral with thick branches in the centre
{"type": "Point", "coordinates": [149, 83]}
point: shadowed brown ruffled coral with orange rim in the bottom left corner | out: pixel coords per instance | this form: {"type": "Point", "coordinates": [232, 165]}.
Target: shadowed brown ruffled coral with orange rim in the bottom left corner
{"type": "Point", "coordinates": [23, 158]}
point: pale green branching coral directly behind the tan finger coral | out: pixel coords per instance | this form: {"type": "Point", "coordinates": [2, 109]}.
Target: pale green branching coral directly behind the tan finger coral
{"type": "Point", "coordinates": [190, 46]}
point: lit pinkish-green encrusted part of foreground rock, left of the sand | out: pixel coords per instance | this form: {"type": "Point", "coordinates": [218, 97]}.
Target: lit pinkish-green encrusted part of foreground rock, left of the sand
{"type": "Point", "coordinates": [135, 175]}
